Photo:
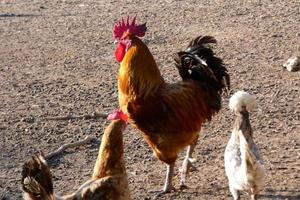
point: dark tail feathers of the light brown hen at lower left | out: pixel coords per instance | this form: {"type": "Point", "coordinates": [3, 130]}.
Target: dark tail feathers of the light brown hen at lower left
{"type": "Point", "coordinates": [37, 179]}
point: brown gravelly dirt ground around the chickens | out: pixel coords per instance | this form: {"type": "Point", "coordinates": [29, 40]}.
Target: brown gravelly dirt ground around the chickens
{"type": "Point", "coordinates": [56, 58]}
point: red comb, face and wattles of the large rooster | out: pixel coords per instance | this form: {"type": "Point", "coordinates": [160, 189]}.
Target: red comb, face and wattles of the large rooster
{"type": "Point", "coordinates": [123, 31]}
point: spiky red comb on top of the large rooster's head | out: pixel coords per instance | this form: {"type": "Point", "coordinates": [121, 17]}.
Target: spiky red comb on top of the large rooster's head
{"type": "Point", "coordinates": [132, 28]}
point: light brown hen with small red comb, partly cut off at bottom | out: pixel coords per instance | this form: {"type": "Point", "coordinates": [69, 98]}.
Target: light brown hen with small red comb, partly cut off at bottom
{"type": "Point", "coordinates": [109, 179]}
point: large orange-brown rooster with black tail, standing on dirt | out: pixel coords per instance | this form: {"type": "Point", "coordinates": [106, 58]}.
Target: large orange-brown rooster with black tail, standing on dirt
{"type": "Point", "coordinates": [169, 115]}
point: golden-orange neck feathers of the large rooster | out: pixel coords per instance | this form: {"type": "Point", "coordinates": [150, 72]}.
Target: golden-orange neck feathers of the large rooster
{"type": "Point", "coordinates": [139, 75]}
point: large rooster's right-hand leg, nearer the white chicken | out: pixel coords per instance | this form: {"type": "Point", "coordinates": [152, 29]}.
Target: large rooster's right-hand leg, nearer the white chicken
{"type": "Point", "coordinates": [187, 163]}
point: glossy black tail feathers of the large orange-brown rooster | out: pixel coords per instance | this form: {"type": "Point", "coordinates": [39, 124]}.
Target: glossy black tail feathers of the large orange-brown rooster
{"type": "Point", "coordinates": [199, 63]}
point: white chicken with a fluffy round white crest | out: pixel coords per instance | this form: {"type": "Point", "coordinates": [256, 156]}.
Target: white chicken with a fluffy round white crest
{"type": "Point", "coordinates": [243, 164]}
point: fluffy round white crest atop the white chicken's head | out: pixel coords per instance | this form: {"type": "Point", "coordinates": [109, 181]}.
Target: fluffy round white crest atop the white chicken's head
{"type": "Point", "coordinates": [242, 99]}
